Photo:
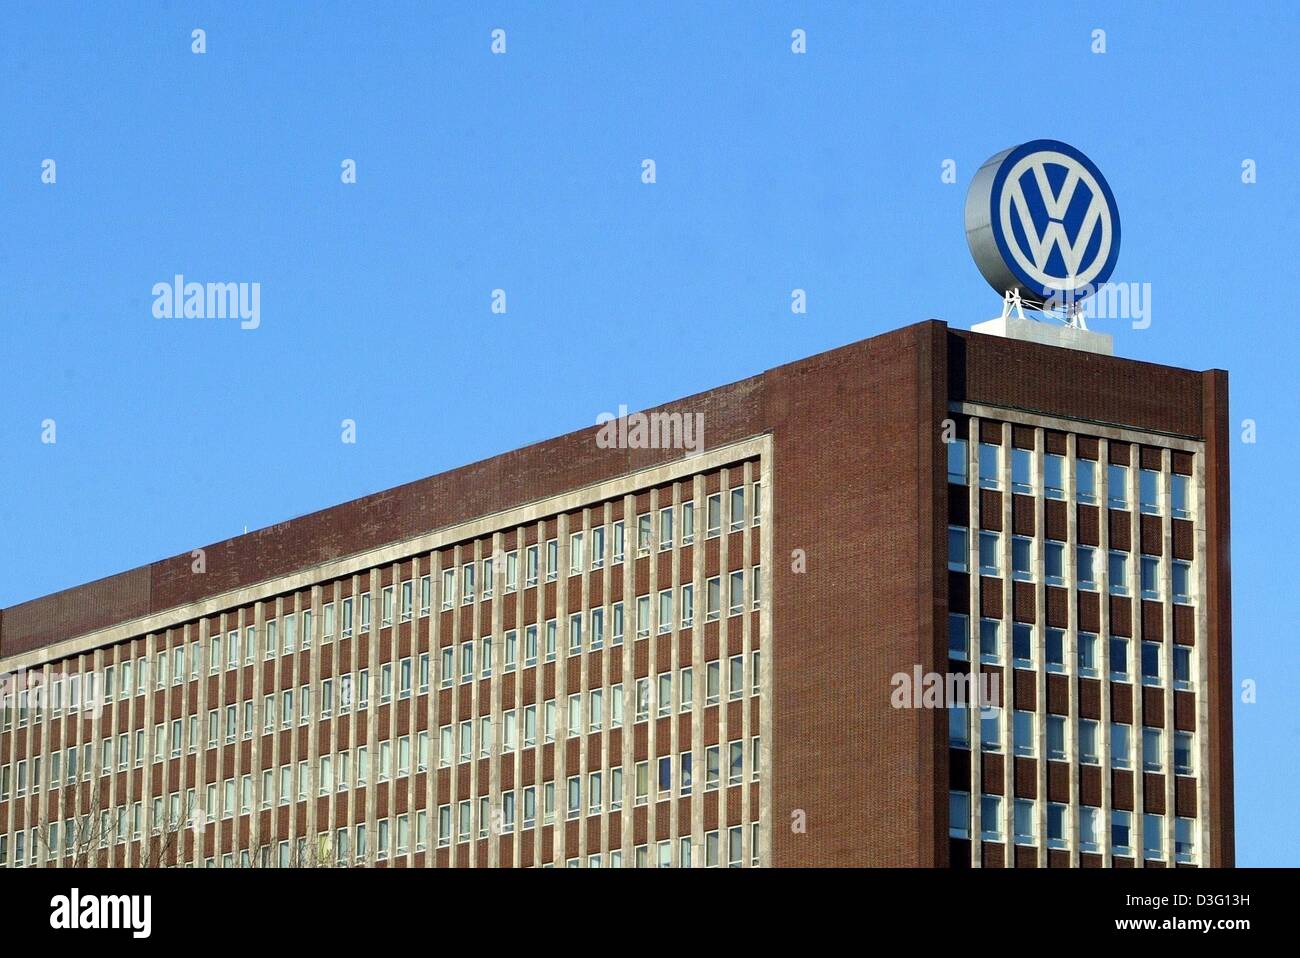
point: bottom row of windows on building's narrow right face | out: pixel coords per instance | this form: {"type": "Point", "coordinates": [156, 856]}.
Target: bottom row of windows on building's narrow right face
{"type": "Point", "coordinates": [1025, 823]}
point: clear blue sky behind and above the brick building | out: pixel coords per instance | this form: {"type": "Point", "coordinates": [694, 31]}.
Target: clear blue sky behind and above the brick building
{"type": "Point", "coordinates": [523, 172]}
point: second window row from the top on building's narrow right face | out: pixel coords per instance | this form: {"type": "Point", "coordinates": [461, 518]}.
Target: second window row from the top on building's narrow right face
{"type": "Point", "coordinates": [1151, 582]}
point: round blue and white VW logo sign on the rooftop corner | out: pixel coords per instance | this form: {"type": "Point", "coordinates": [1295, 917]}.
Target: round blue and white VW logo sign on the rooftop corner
{"type": "Point", "coordinates": [1041, 220]}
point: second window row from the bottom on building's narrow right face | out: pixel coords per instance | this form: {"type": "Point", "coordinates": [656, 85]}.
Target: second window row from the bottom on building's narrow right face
{"type": "Point", "coordinates": [1086, 740]}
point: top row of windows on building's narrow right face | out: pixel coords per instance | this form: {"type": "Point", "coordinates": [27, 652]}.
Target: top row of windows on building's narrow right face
{"type": "Point", "coordinates": [1150, 482]}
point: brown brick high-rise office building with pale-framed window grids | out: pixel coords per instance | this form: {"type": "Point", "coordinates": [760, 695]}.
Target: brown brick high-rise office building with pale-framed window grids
{"type": "Point", "coordinates": [580, 656]}
